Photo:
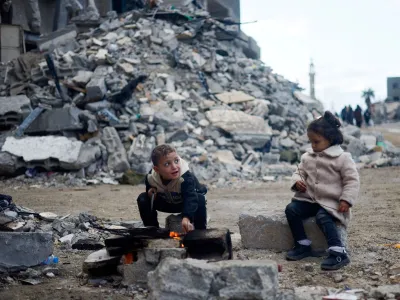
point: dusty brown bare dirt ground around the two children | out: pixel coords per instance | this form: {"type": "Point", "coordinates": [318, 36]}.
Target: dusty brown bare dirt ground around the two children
{"type": "Point", "coordinates": [376, 221]}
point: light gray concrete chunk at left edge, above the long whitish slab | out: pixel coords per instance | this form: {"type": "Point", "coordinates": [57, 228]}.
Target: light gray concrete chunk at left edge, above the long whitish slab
{"type": "Point", "coordinates": [13, 109]}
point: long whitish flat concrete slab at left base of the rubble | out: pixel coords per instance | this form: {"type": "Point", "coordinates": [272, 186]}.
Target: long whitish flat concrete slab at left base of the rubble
{"type": "Point", "coordinates": [43, 148]}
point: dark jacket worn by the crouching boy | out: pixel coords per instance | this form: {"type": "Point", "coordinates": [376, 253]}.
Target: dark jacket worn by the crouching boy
{"type": "Point", "coordinates": [184, 190]}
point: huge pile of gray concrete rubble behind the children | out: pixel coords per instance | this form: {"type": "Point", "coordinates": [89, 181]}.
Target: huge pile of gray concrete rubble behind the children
{"type": "Point", "coordinates": [150, 77]}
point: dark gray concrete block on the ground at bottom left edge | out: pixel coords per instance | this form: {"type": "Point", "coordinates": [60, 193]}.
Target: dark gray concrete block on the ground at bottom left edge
{"type": "Point", "coordinates": [21, 250]}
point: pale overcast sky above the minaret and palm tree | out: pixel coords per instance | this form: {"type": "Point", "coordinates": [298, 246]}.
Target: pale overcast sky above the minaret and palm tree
{"type": "Point", "coordinates": [355, 44]}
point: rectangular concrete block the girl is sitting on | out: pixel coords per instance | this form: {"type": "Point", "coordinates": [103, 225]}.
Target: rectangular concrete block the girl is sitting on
{"type": "Point", "coordinates": [273, 233]}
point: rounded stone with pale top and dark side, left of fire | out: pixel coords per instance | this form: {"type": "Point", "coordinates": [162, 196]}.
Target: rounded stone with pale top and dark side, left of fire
{"type": "Point", "coordinates": [100, 262]}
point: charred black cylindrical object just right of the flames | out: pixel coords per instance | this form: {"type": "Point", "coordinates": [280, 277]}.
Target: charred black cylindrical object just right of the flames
{"type": "Point", "coordinates": [213, 244]}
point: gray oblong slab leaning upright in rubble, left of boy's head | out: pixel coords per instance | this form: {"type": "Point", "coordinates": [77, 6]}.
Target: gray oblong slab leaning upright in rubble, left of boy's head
{"type": "Point", "coordinates": [117, 157]}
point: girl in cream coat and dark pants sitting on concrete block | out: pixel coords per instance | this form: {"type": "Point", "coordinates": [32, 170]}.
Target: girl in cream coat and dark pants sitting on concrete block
{"type": "Point", "coordinates": [326, 185]}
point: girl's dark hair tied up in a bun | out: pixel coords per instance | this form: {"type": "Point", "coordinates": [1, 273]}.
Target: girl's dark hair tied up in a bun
{"type": "Point", "coordinates": [329, 127]}
